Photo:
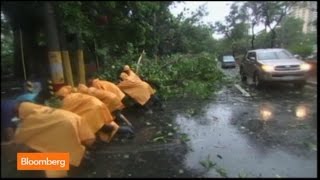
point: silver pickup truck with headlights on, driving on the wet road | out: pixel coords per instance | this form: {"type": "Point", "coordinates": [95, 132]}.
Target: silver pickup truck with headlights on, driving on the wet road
{"type": "Point", "coordinates": [273, 65]}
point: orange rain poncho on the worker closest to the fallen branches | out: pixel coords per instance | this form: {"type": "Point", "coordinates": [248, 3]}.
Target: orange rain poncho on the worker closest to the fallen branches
{"type": "Point", "coordinates": [135, 88]}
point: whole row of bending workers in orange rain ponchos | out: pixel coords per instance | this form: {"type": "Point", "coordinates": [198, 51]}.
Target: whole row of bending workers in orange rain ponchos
{"type": "Point", "coordinates": [87, 113]}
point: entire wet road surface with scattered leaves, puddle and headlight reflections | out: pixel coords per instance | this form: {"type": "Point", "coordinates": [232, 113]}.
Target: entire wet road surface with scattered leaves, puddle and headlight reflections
{"type": "Point", "coordinates": [272, 133]}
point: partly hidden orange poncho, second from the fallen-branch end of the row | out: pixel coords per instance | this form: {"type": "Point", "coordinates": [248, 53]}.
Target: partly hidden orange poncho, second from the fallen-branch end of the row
{"type": "Point", "coordinates": [108, 86]}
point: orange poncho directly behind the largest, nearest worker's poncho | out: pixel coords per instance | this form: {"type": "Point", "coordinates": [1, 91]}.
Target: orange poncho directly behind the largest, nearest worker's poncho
{"type": "Point", "coordinates": [91, 109]}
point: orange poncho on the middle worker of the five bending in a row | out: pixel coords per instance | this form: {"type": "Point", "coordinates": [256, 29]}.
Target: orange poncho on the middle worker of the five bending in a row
{"type": "Point", "coordinates": [112, 101]}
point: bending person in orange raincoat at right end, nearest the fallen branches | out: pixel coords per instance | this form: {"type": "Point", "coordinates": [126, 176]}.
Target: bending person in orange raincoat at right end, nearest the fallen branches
{"type": "Point", "coordinates": [138, 89]}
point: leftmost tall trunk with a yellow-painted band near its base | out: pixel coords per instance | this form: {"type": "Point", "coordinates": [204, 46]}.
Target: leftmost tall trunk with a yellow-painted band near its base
{"type": "Point", "coordinates": [53, 47]}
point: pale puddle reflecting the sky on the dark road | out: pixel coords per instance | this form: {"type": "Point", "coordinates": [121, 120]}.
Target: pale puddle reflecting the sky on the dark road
{"type": "Point", "coordinates": [213, 134]}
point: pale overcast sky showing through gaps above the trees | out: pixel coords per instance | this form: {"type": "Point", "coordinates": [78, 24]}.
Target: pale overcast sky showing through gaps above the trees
{"type": "Point", "coordinates": [217, 11]}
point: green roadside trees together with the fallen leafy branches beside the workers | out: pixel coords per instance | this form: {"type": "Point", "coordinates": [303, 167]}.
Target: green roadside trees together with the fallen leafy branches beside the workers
{"type": "Point", "coordinates": [181, 55]}
